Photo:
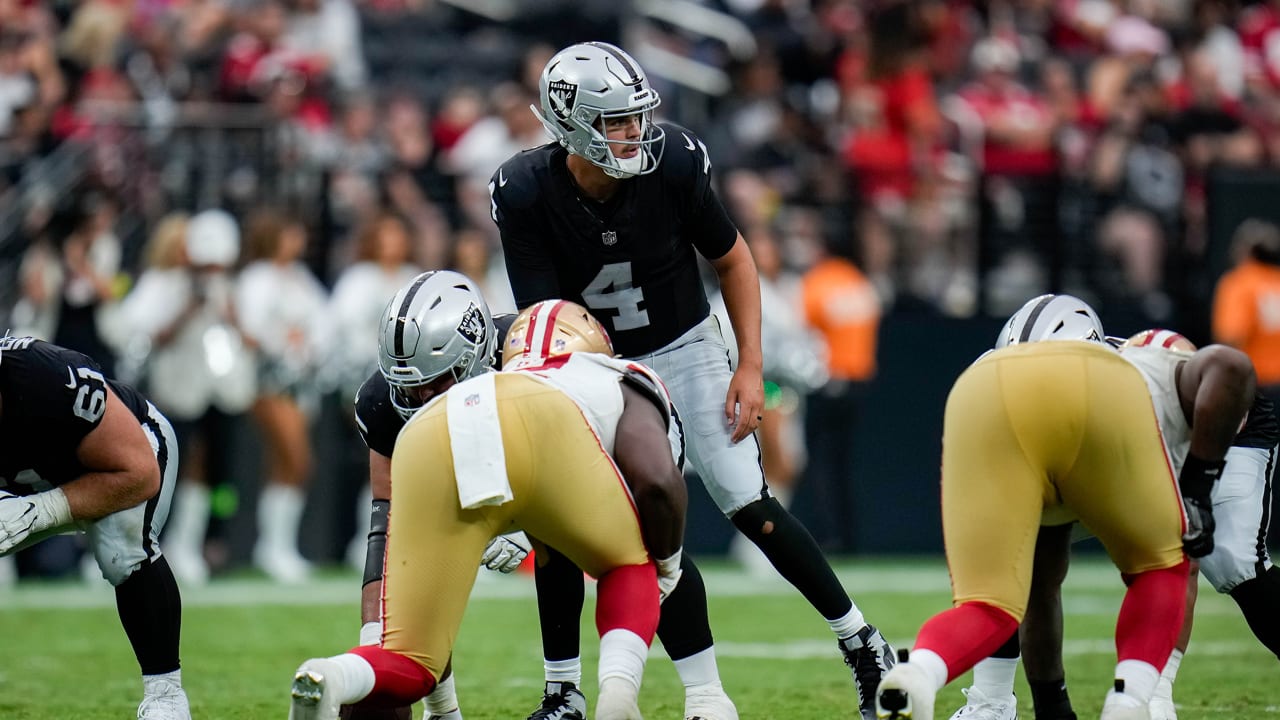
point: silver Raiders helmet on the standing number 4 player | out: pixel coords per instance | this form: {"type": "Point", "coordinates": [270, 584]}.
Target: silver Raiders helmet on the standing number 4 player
{"type": "Point", "coordinates": [582, 88]}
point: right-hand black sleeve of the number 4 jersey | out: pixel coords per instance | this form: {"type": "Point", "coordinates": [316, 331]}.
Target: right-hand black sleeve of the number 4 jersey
{"type": "Point", "coordinates": [689, 167]}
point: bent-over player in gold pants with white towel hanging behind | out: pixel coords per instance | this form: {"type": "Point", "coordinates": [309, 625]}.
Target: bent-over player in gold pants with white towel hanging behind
{"type": "Point", "coordinates": [572, 446]}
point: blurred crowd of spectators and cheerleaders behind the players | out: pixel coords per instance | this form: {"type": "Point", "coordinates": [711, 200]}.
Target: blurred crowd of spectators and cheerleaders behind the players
{"type": "Point", "coordinates": [216, 198]}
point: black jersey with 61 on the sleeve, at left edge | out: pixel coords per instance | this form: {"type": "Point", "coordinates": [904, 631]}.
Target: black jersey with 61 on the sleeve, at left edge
{"type": "Point", "coordinates": [52, 399]}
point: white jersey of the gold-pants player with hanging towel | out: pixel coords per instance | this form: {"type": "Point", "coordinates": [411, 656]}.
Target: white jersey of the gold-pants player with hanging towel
{"type": "Point", "coordinates": [593, 382]}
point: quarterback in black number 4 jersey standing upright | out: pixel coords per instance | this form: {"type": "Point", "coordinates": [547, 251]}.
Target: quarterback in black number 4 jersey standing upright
{"type": "Point", "coordinates": [612, 215]}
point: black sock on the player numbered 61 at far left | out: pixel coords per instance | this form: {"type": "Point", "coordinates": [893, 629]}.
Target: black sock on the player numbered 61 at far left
{"type": "Point", "coordinates": [150, 610]}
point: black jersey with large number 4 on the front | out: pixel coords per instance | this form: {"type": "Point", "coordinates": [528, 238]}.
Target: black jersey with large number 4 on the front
{"type": "Point", "coordinates": [632, 261]}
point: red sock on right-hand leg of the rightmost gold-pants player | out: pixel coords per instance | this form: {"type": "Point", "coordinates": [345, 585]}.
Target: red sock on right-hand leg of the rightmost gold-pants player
{"type": "Point", "coordinates": [1151, 616]}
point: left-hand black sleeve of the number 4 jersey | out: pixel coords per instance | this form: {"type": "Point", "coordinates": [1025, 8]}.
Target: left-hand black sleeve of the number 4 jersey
{"type": "Point", "coordinates": [513, 194]}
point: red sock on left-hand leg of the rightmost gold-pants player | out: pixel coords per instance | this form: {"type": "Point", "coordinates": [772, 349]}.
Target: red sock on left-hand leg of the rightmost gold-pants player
{"type": "Point", "coordinates": [966, 635]}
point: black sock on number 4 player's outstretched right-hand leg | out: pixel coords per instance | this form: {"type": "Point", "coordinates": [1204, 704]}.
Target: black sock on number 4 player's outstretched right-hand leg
{"type": "Point", "coordinates": [796, 555]}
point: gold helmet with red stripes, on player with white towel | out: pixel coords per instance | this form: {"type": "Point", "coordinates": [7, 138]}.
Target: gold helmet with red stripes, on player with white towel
{"type": "Point", "coordinates": [552, 329]}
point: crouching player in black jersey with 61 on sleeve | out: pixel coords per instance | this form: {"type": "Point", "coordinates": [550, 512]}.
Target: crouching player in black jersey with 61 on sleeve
{"type": "Point", "coordinates": [80, 452]}
